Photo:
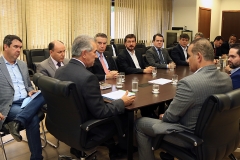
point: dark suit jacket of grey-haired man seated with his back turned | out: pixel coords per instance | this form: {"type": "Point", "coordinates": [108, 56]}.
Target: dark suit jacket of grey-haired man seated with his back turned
{"type": "Point", "coordinates": [88, 88]}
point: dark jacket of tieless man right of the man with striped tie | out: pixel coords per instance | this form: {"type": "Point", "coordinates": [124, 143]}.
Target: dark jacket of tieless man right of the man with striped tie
{"type": "Point", "coordinates": [178, 56]}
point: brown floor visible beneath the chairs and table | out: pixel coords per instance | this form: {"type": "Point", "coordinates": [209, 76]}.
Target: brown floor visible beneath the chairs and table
{"type": "Point", "coordinates": [20, 151]}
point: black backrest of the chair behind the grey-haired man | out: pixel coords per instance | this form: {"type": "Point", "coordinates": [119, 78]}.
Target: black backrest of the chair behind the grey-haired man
{"type": "Point", "coordinates": [65, 112]}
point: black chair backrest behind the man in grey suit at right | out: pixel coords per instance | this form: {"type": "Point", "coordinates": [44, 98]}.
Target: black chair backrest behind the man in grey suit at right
{"type": "Point", "coordinates": [218, 126]}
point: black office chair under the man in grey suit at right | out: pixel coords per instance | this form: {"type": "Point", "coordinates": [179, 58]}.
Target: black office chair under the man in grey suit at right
{"type": "Point", "coordinates": [216, 134]}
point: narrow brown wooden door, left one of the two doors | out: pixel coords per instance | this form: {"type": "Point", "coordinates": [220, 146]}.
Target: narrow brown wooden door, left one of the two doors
{"type": "Point", "coordinates": [204, 21]}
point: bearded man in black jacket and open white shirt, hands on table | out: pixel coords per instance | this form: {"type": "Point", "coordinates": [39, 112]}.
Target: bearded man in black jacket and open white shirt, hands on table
{"type": "Point", "coordinates": [130, 60]}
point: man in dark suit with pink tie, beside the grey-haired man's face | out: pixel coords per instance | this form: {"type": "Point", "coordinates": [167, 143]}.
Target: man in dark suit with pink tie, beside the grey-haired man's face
{"type": "Point", "coordinates": [104, 66]}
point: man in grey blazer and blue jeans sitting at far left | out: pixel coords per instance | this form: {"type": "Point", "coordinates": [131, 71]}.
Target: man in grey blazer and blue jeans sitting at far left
{"type": "Point", "coordinates": [15, 86]}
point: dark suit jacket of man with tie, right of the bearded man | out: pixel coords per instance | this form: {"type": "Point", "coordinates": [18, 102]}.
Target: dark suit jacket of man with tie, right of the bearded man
{"type": "Point", "coordinates": [153, 58]}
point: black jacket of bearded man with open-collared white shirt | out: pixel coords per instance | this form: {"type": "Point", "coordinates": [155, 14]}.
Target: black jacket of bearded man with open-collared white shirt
{"type": "Point", "coordinates": [126, 64]}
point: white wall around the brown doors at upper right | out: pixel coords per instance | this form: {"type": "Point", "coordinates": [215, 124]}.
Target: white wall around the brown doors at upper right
{"type": "Point", "coordinates": [185, 12]}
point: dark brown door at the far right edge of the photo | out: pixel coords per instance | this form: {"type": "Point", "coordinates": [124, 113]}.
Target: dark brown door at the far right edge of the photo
{"type": "Point", "coordinates": [231, 24]}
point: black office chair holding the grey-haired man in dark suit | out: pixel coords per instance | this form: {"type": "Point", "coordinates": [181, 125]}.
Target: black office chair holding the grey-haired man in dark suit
{"type": "Point", "coordinates": [67, 118]}
